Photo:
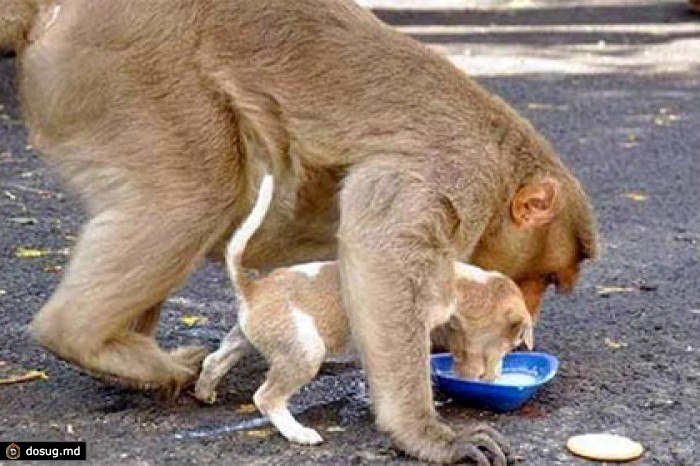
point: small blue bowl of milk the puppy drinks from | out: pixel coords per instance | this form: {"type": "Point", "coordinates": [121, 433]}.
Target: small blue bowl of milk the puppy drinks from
{"type": "Point", "coordinates": [506, 394]}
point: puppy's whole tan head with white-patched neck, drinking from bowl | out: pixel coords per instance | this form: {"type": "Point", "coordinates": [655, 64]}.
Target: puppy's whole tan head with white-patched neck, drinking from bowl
{"type": "Point", "coordinates": [491, 320]}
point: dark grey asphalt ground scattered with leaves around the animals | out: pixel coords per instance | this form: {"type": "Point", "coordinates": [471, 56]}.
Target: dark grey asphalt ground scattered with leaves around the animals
{"type": "Point", "coordinates": [614, 85]}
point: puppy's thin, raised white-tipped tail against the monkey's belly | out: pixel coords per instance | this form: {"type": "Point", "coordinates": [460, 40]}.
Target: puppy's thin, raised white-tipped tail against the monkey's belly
{"type": "Point", "coordinates": [239, 240]}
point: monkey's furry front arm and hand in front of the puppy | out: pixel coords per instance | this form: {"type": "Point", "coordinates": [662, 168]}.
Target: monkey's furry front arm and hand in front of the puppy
{"type": "Point", "coordinates": [390, 257]}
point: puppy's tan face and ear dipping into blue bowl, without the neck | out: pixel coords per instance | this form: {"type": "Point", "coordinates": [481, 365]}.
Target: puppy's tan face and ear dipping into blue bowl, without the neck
{"type": "Point", "coordinates": [479, 341]}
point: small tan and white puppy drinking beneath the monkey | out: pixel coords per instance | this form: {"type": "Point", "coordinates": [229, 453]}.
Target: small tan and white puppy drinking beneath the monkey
{"type": "Point", "coordinates": [295, 318]}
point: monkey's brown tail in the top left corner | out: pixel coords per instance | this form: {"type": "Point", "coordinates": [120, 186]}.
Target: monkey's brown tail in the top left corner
{"type": "Point", "coordinates": [16, 20]}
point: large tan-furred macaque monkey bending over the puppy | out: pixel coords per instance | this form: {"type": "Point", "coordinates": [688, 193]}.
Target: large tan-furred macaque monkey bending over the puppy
{"type": "Point", "coordinates": [163, 115]}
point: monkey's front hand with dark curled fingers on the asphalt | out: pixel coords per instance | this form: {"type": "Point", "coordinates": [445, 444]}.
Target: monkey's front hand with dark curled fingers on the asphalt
{"type": "Point", "coordinates": [437, 443]}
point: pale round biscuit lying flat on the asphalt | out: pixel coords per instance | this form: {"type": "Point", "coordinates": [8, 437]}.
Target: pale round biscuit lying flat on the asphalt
{"type": "Point", "coordinates": [604, 447]}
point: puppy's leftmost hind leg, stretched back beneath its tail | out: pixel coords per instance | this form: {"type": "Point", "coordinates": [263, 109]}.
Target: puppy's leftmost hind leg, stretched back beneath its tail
{"type": "Point", "coordinates": [217, 364]}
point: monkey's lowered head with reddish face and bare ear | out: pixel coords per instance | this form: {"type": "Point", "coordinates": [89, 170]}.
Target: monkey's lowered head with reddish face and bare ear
{"type": "Point", "coordinates": [542, 237]}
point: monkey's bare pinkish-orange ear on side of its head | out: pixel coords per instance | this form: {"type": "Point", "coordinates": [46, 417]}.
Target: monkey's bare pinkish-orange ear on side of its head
{"type": "Point", "coordinates": [534, 204]}
